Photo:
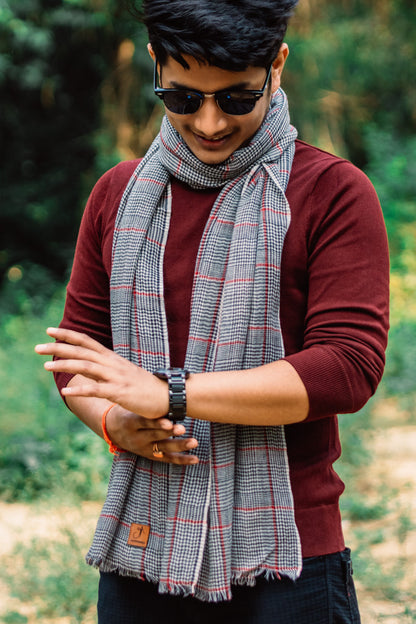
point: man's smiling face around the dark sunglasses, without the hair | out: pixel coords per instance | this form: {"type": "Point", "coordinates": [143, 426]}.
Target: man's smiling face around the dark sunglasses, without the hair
{"type": "Point", "coordinates": [211, 134]}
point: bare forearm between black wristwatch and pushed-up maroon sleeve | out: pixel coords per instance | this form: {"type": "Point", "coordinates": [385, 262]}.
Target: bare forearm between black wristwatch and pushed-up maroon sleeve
{"type": "Point", "coordinates": [269, 395]}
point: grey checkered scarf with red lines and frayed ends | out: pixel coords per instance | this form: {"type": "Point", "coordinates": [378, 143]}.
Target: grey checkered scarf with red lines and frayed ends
{"type": "Point", "coordinates": [229, 518]}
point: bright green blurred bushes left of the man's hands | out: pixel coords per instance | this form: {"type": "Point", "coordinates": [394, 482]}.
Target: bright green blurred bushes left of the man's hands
{"type": "Point", "coordinates": [46, 452]}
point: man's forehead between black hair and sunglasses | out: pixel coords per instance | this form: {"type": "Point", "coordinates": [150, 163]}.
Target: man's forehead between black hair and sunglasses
{"type": "Point", "coordinates": [209, 78]}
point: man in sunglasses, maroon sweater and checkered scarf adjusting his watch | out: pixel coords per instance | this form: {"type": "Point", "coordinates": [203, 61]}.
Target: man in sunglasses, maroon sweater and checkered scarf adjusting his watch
{"type": "Point", "coordinates": [238, 277]}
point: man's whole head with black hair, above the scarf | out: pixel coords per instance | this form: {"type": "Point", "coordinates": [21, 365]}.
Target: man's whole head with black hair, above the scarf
{"type": "Point", "coordinates": [212, 46]}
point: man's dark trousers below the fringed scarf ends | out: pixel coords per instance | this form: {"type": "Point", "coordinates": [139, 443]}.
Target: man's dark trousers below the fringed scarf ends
{"type": "Point", "coordinates": [324, 594]}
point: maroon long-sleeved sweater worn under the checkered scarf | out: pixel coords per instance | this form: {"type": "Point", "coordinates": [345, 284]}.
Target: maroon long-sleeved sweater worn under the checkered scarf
{"type": "Point", "coordinates": [334, 307]}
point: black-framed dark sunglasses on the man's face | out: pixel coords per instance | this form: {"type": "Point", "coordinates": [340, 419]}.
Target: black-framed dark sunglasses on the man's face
{"type": "Point", "coordinates": [188, 101]}
